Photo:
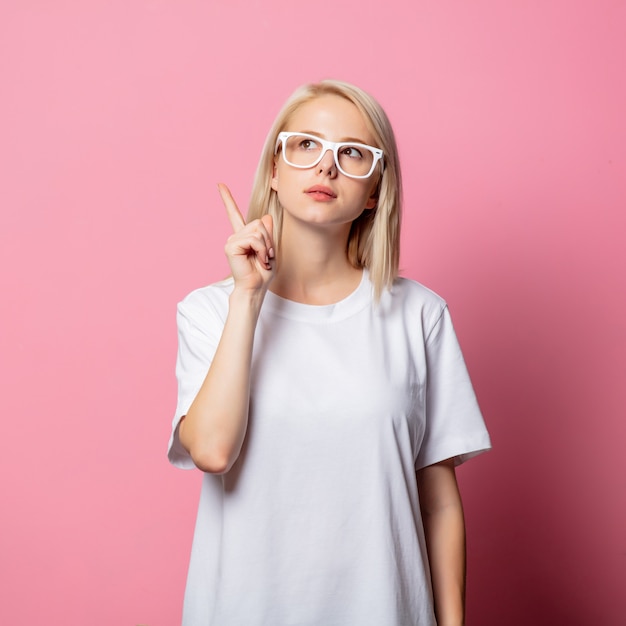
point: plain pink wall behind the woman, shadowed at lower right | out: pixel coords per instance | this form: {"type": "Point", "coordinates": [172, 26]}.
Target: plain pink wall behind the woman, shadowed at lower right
{"type": "Point", "coordinates": [118, 118]}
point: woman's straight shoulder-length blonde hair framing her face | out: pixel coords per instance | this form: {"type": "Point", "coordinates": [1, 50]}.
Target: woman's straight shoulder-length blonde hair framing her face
{"type": "Point", "coordinates": [374, 240]}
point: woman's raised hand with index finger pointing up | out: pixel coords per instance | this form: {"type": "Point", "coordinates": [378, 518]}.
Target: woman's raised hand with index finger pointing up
{"type": "Point", "coordinates": [250, 249]}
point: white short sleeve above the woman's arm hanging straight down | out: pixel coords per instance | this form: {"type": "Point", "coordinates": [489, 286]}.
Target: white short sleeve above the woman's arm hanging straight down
{"type": "Point", "coordinates": [454, 426]}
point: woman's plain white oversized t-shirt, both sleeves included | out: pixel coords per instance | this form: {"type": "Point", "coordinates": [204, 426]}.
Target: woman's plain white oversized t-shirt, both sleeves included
{"type": "Point", "coordinates": [318, 522]}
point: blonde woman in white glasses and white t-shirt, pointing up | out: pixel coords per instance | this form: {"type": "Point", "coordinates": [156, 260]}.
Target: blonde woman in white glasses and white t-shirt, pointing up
{"type": "Point", "coordinates": [325, 398]}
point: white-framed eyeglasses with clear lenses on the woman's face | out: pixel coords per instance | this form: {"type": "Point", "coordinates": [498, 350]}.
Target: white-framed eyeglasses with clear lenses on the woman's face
{"type": "Point", "coordinates": [355, 160]}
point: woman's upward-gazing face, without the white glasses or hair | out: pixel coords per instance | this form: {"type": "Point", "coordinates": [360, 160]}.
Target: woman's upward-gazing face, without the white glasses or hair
{"type": "Point", "coordinates": [322, 194]}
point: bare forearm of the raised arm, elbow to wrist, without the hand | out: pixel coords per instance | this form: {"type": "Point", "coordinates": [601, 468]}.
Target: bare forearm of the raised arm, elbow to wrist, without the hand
{"type": "Point", "coordinates": [214, 428]}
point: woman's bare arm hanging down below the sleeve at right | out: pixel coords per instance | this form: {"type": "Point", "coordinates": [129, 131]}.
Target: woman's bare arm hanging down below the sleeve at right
{"type": "Point", "coordinates": [444, 526]}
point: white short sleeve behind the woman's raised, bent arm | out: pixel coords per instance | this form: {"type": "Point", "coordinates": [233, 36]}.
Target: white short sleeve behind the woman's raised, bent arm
{"type": "Point", "coordinates": [199, 330]}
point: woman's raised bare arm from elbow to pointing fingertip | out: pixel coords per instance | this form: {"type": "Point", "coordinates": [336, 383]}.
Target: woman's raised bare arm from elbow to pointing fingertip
{"type": "Point", "coordinates": [215, 426]}
